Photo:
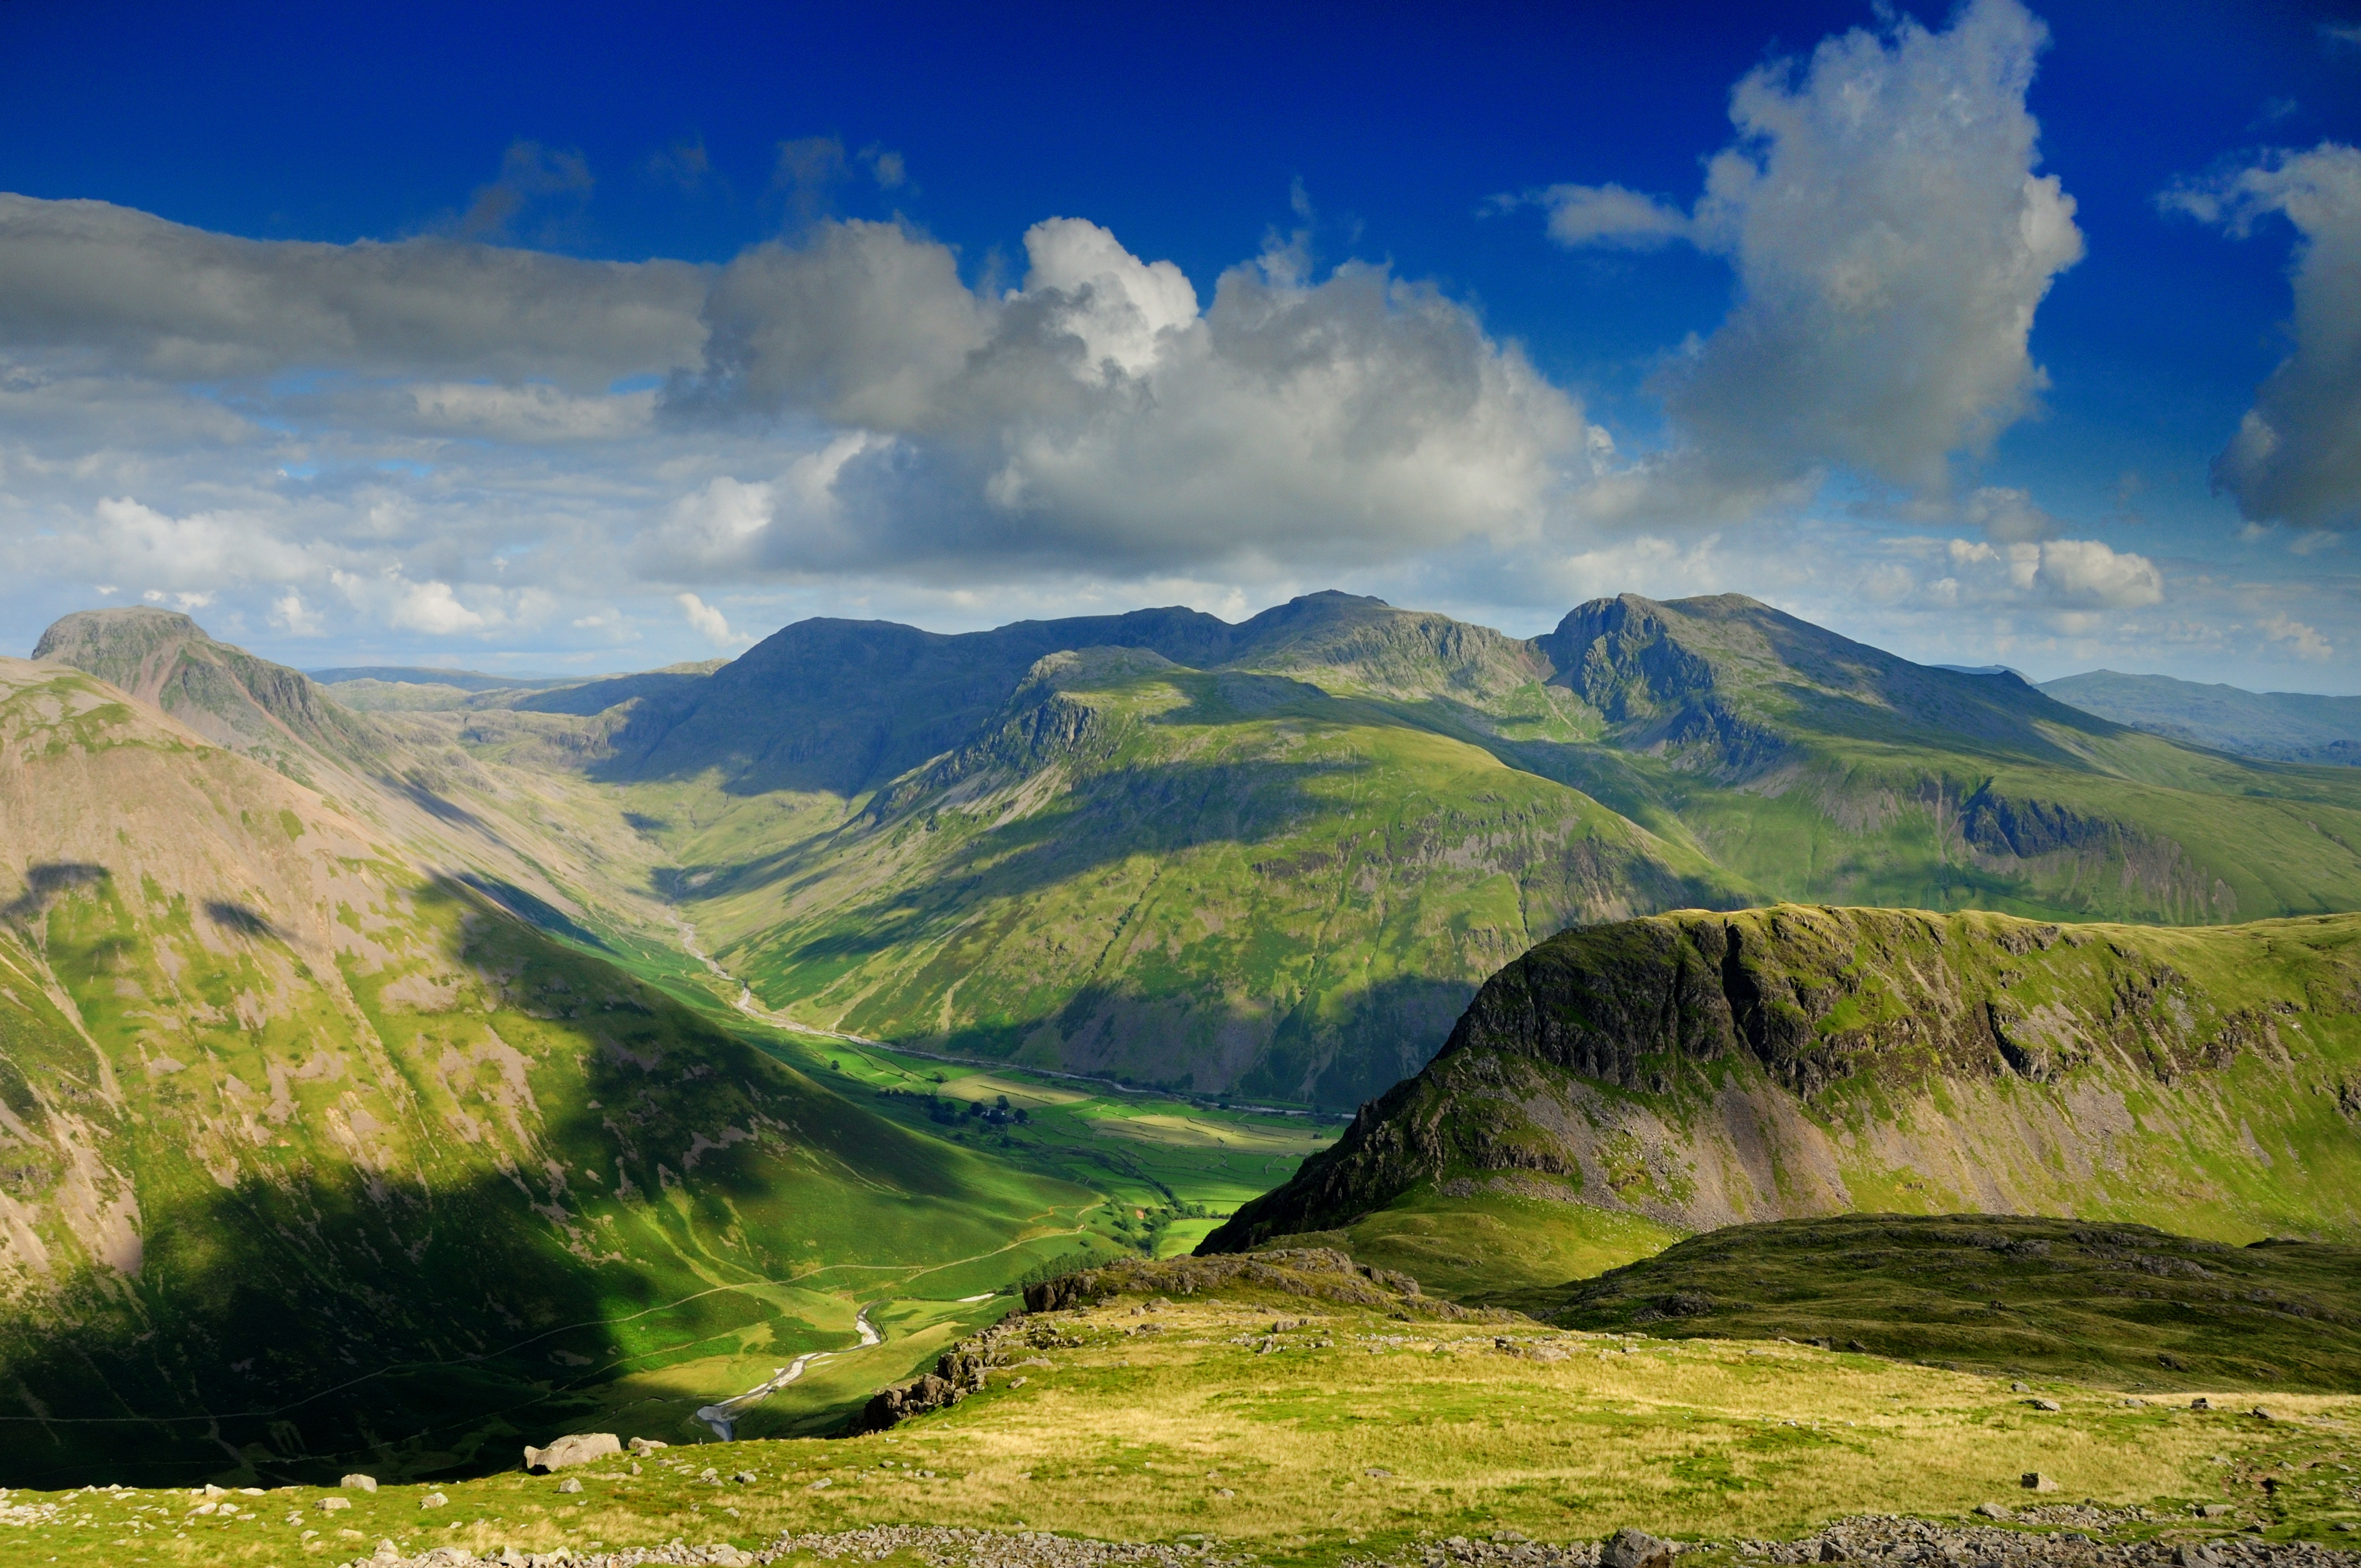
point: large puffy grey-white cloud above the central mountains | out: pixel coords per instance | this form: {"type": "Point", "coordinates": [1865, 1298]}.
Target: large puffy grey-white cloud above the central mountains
{"type": "Point", "coordinates": [1099, 419]}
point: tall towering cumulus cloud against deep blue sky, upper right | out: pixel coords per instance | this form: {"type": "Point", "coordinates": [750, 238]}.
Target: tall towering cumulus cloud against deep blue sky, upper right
{"type": "Point", "coordinates": [1892, 244]}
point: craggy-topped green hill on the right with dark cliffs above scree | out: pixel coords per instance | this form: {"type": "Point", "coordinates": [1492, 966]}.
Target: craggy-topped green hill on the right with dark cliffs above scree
{"type": "Point", "coordinates": [1699, 1071]}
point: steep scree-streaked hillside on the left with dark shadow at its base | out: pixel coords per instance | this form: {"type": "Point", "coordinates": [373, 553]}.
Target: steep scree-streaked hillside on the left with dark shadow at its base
{"type": "Point", "coordinates": [313, 1158]}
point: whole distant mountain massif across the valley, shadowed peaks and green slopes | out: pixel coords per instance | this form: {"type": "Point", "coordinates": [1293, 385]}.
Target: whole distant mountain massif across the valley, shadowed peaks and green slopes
{"type": "Point", "coordinates": [1281, 856]}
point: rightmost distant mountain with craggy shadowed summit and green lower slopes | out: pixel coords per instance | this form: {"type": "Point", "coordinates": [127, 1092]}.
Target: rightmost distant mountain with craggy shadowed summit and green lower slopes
{"type": "Point", "coordinates": [1826, 771]}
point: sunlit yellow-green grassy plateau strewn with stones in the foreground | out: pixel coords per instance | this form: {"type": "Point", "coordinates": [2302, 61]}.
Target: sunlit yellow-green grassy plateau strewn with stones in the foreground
{"type": "Point", "coordinates": [1304, 1430]}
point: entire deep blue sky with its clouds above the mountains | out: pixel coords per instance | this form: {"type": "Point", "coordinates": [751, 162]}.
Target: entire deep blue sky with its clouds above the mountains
{"type": "Point", "coordinates": [1954, 355]}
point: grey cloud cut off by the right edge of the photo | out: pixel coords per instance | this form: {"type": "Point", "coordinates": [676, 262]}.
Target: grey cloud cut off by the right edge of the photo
{"type": "Point", "coordinates": [2298, 450]}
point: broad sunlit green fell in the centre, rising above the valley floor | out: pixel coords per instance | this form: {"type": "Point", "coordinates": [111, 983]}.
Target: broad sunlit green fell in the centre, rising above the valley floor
{"type": "Point", "coordinates": [1212, 880]}
